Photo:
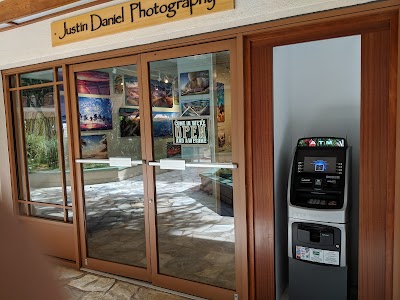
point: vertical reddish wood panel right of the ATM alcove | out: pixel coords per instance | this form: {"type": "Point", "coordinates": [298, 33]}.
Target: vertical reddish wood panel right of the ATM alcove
{"type": "Point", "coordinates": [376, 169]}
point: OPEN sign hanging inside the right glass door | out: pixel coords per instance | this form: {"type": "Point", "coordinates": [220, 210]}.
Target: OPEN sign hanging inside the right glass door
{"type": "Point", "coordinates": [190, 131]}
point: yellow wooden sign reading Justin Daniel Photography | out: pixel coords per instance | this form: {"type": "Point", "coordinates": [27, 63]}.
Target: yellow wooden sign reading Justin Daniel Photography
{"type": "Point", "coordinates": [132, 15]}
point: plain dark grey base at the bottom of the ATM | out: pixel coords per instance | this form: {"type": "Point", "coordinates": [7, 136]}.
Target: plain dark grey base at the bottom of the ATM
{"type": "Point", "coordinates": [309, 281]}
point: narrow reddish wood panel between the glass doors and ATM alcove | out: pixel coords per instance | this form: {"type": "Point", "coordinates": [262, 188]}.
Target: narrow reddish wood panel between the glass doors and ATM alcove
{"type": "Point", "coordinates": [262, 146]}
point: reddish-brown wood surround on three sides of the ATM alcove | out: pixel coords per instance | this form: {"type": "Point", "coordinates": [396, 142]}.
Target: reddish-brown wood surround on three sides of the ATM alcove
{"type": "Point", "coordinates": [377, 148]}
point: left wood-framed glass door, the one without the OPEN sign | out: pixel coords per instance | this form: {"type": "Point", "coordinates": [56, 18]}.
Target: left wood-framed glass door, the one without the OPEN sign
{"type": "Point", "coordinates": [110, 169]}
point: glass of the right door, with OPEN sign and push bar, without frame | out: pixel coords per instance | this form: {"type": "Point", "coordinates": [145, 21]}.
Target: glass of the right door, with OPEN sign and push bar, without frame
{"type": "Point", "coordinates": [191, 121]}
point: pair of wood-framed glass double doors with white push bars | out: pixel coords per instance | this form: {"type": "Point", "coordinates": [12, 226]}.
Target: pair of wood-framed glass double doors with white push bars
{"type": "Point", "coordinates": [158, 151]}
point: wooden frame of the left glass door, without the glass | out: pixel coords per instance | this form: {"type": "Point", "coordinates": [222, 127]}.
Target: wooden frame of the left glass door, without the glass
{"type": "Point", "coordinates": [97, 264]}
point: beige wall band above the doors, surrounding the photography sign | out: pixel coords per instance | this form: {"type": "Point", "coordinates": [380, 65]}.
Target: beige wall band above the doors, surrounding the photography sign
{"type": "Point", "coordinates": [32, 44]}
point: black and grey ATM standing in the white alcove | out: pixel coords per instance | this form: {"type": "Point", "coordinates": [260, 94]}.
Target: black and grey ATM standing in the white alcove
{"type": "Point", "coordinates": [318, 216]}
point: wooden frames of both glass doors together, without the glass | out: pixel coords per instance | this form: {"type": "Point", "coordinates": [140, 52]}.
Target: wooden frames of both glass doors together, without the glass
{"type": "Point", "coordinates": [148, 155]}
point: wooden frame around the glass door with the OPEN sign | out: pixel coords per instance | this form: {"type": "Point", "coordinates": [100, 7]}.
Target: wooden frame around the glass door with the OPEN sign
{"type": "Point", "coordinates": [183, 285]}
